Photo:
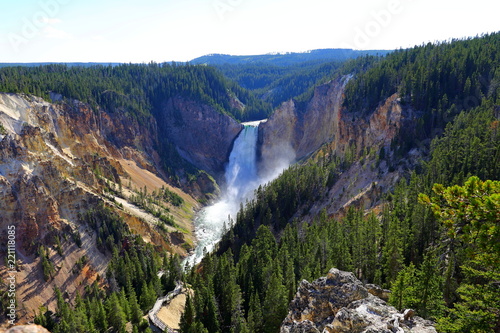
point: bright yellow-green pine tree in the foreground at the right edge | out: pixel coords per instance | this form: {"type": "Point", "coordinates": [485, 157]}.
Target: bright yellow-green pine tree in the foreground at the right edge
{"type": "Point", "coordinates": [470, 214]}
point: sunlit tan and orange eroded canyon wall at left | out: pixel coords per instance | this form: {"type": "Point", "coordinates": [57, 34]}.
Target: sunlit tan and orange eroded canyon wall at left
{"type": "Point", "coordinates": [56, 162]}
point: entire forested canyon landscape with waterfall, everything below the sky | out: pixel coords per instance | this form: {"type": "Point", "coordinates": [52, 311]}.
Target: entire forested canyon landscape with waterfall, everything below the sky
{"type": "Point", "coordinates": [371, 177]}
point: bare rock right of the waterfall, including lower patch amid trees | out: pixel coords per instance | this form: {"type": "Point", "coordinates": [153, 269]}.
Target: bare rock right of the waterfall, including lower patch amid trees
{"type": "Point", "coordinates": [324, 127]}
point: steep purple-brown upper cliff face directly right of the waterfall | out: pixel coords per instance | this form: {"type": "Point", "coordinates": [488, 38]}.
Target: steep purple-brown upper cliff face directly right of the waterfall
{"type": "Point", "coordinates": [324, 120]}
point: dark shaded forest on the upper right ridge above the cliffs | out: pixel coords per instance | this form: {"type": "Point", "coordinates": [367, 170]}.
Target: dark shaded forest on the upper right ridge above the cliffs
{"type": "Point", "coordinates": [441, 79]}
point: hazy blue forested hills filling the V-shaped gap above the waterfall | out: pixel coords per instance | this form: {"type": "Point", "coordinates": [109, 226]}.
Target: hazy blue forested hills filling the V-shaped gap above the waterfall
{"type": "Point", "coordinates": [276, 78]}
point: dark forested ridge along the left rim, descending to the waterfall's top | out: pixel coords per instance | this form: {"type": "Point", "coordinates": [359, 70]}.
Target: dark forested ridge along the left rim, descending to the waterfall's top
{"type": "Point", "coordinates": [137, 89]}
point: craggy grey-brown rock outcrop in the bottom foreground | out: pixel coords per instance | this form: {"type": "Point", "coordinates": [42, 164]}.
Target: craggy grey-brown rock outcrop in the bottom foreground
{"type": "Point", "coordinates": [341, 303]}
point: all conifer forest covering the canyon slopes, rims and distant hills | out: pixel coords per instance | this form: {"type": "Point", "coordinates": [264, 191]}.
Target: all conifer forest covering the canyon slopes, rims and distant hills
{"type": "Point", "coordinates": [434, 242]}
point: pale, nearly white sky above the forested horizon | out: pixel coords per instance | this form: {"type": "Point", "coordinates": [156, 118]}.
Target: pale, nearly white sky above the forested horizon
{"type": "Point", "coordinates": [141, 31]}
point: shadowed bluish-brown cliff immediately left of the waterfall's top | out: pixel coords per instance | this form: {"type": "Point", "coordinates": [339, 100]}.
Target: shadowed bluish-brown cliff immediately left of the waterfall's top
{"type": "Point", "coordinates": [202, 135]}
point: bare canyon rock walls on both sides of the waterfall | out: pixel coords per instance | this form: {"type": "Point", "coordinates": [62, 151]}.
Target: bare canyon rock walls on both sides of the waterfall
{"type": "Point", "coordinates": [61, 158]}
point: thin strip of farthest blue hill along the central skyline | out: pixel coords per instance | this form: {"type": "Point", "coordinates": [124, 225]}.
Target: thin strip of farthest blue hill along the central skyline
{"type": "Point", "coordinates": [286, 59]}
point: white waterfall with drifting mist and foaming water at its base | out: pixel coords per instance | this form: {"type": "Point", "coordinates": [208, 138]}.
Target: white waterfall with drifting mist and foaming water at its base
{"type": "Point", "coordinates": [242, 178]}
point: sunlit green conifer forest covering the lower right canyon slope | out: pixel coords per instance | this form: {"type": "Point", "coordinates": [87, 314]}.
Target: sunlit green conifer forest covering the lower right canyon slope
{"type": "Point", "coordinates": [408, 249]}
